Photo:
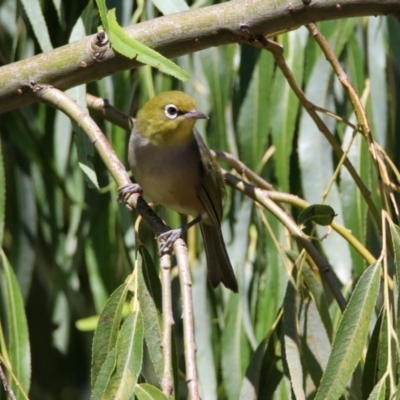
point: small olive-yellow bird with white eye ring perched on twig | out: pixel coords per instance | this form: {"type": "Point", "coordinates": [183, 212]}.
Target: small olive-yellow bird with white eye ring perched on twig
{"type": "Point", "coordinates": [173, 166]}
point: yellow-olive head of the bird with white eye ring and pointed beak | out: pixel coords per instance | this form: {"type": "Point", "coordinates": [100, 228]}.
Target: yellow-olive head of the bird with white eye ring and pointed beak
{"type": "Point", "coordinates": [168, 118]}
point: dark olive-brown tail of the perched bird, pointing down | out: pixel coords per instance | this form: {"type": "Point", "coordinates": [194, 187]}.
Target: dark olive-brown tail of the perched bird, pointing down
{"type": "Point", "coordinates": [218, 263]}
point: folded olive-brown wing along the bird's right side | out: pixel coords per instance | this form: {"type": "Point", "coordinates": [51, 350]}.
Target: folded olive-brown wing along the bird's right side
{"type": "Point", "coordinates": [212, 187]}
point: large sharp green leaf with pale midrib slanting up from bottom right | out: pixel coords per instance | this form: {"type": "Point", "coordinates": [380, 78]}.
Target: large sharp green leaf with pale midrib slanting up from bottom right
{"type": "Point", "coordinates": [351, 335]}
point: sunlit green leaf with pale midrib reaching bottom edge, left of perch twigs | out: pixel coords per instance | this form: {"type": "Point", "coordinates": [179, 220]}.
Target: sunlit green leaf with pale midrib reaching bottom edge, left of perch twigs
{"type": "Point", "coordinates": [129, 358]}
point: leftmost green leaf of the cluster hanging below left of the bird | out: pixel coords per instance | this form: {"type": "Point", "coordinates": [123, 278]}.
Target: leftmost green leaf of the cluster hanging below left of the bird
{"type": "Point", "coordinates": [106, 333]}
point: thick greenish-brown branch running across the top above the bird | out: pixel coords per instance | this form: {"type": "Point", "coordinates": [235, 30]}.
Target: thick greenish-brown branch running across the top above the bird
{"type": "Point", "coordinates": [174, 35]}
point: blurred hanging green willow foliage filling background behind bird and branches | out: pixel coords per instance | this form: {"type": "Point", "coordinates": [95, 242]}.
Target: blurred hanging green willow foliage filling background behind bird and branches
{"type": "Point", "coordinates": [71, 246]}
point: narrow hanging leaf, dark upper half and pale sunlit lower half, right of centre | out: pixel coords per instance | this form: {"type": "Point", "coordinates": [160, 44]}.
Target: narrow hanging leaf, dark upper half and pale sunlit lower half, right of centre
{"type": "Point", "coordinates": [292, 340]}
